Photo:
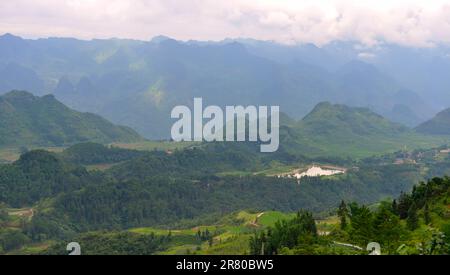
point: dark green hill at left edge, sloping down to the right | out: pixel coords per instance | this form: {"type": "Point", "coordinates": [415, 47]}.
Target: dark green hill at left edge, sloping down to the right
{"type": "Point", "coordinates": [27, 120]}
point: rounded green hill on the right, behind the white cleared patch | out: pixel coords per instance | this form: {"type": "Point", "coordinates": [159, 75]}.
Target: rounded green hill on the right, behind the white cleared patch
{"type": "Point", "coordinates": [331, 130]}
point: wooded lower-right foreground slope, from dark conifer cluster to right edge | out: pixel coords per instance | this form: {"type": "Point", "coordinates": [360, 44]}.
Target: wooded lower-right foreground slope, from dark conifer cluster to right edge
{"type": "Point", "coordinates": [416, 224]}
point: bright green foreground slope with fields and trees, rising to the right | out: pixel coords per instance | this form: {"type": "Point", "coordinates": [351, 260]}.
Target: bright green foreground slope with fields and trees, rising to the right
{"type": "Point", "coordinates": [417, 223]}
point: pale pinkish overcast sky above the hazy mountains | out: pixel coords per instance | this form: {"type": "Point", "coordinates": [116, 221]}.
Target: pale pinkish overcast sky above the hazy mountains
{"type": "Point", "coordinates": [416, 23]}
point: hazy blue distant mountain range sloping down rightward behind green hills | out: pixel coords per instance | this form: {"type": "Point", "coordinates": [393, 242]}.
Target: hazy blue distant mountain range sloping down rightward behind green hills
{"type": "Point", "coordinates": [126, 81]}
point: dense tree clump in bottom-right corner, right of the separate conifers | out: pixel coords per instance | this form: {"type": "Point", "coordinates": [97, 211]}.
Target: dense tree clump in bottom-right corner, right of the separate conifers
{"type": "Point", "coordinates": [417, 236]}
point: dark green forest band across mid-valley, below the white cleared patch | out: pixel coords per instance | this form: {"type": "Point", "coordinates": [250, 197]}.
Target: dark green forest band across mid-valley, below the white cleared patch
{"type": "Point", "coordinates": [159, 188]}
